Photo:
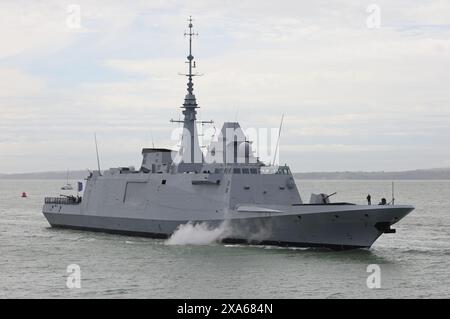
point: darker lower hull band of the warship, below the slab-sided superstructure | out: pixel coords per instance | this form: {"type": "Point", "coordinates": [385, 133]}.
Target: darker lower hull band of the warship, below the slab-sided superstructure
{"type": "Point", "coordinates": [340, 228]}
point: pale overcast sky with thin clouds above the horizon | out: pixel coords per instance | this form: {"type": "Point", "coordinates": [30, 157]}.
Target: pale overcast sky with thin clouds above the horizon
{"type": "Point", "coordinates": [355, 96]}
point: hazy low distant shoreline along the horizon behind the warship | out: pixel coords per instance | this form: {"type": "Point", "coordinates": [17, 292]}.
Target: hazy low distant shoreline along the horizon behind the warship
{"type": "Point", "coordinates": [419, 174]}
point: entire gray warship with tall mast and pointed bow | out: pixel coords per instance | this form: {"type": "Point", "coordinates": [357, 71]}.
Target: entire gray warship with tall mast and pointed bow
{"type": "Point", "coordinates": [226, 186]}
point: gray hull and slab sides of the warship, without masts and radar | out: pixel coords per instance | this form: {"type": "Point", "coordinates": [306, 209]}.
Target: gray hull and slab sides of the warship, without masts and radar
{"type": "Point", "coordinates": [258, 209]}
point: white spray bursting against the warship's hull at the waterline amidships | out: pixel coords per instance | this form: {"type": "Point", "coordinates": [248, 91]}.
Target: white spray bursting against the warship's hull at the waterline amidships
{"type": "Point", "coordinates": [198, 234]}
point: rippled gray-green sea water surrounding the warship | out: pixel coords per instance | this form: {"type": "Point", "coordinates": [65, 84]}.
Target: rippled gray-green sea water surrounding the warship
{"type": "Point", "coordinates": [36, 261]}
